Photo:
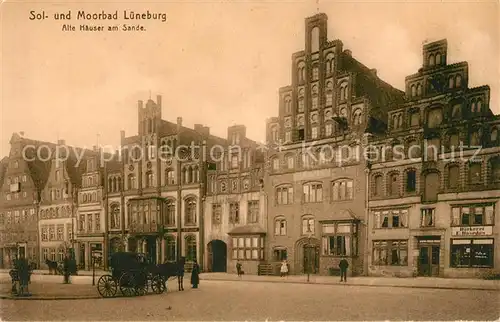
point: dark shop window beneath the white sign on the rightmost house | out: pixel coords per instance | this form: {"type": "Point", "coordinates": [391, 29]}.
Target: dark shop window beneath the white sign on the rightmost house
{"type": "Point", "coordinates": [471, 253]}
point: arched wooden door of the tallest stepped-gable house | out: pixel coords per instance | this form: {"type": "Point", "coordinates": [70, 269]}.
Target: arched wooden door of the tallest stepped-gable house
{"type": "Point", "coordinates": [307, 255]}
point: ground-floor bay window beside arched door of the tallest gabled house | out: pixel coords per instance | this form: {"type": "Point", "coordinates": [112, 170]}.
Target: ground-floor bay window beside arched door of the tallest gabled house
{"type": "Point", "coordinates": [339, 239]}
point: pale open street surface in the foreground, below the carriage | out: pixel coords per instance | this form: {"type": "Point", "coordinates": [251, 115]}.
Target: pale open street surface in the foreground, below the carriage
{"type": "Point", "coordinates": [245, 300]}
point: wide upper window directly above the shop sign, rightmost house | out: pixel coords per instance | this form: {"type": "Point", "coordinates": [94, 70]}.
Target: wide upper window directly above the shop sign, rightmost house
{"type": "Point", "coordinates": [470, 215]}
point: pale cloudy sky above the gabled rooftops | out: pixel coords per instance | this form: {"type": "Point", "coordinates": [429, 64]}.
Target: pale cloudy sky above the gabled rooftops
{"type": "Point", "coordinates": [216, 63]}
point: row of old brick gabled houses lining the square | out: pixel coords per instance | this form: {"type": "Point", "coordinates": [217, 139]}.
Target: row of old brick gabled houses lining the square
{"type": "Point", "coordinates": [401, 183]}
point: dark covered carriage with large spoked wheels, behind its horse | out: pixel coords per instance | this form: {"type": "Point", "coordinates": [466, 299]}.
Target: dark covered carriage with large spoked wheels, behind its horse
{"type": "Point", "coordinates": [132, 274]}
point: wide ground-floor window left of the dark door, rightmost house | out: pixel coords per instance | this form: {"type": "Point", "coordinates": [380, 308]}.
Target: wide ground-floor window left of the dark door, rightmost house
{"type": "Point", "coordinates": [390, 253]}
